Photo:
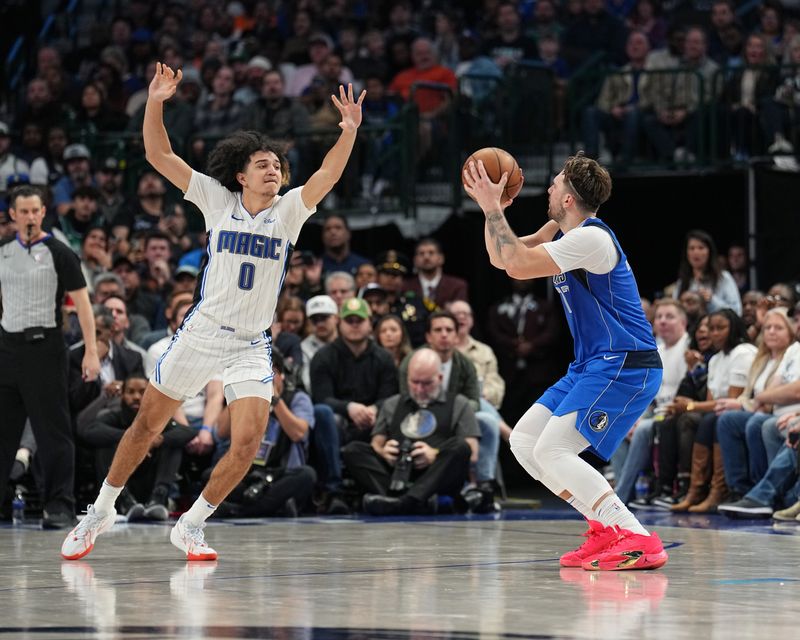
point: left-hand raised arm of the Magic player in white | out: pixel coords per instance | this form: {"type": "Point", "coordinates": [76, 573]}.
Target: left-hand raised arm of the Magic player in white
{"type": "Point", "coordinates": [158, 150]}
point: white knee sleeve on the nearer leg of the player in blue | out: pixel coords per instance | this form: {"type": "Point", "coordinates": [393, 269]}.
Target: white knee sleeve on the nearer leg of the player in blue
{"type": "Point", "coordinates": [556, 454]}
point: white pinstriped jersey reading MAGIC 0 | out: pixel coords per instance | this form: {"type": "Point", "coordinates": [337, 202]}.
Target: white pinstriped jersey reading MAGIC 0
{"type": "Point", "coordinates": [247, 256]}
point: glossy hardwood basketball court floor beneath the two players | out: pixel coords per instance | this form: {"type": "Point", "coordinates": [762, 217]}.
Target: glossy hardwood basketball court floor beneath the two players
{"type": "Point", "coordinates": [487, 577]}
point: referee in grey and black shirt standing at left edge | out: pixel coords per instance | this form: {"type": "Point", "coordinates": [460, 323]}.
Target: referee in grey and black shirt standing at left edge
{"type": "Point", "coordinates": [35, 272]}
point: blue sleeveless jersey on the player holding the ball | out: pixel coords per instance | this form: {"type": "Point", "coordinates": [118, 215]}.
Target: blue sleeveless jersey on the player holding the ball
{"type": "Point", "coordinates": [604, 311]}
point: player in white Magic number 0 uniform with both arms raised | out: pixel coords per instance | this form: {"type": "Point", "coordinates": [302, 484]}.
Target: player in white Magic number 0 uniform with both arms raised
{"type": "Point", "coordinates": [251, 233]}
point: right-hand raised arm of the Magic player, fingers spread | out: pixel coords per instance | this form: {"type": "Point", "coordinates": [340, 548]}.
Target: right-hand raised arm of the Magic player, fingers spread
{"type": "Point", "coordinates": [324, 178]}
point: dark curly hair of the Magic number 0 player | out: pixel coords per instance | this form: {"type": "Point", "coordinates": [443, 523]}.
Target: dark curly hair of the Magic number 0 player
{"type": "Point", "coordinates": [232, 155]}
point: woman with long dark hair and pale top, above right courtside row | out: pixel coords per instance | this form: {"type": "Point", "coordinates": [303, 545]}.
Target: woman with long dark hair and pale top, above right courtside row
{"type": "Point", "coordinates": [699, 271]}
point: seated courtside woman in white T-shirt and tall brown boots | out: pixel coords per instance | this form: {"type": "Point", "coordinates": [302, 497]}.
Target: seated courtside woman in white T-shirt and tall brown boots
{"type": "Point", "coordinates": [728, 376]}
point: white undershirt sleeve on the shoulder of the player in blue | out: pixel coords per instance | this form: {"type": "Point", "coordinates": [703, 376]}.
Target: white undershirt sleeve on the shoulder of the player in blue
{"type": "Point", "coordinates": [589, 248]}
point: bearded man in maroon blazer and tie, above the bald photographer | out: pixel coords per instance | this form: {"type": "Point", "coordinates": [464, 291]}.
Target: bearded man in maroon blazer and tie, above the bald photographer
{"type": "Point", "coordinates": [430, 283]}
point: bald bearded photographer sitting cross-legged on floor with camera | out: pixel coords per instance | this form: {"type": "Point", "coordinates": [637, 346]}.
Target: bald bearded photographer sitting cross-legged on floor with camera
{"type": "Point", "coordinates": [422, 443]}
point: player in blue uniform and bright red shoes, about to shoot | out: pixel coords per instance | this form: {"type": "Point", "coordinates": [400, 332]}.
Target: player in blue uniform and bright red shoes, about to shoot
{"type": "Point", "coordinates": [616, 372]}
